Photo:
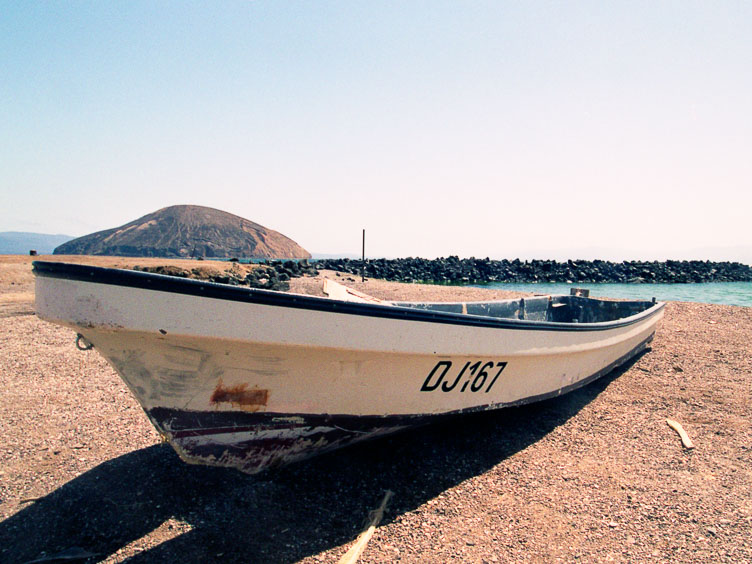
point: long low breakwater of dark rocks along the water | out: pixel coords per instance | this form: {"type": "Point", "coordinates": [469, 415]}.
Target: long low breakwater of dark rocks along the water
{"type": "Point", "coordinates": [454, 270]}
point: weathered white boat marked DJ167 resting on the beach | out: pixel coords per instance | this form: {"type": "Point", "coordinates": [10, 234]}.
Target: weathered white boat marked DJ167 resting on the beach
{"type": "Point", "coordinates": [254, 379]}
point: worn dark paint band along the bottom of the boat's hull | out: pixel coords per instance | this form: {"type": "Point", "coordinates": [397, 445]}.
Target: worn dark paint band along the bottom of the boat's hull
{"type": "Point", "coordinates": [186, 428]}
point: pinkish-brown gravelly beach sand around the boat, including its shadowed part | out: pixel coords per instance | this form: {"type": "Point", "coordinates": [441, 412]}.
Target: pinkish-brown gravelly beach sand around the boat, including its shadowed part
{"type": "Point", "coordinates": [593, 476]}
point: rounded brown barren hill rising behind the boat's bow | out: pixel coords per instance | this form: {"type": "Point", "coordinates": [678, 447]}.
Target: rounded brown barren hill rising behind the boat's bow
{"type": "Point", "coordinates": [187, 231]}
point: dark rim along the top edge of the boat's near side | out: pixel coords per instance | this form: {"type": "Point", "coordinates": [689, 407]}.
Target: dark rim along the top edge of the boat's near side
{"type": "Point", "coordinates": [201, 288]}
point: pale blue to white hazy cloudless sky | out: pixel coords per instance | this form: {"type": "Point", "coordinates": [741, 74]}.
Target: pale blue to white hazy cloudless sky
{"type": "Point", "coordinates": [495, 129]}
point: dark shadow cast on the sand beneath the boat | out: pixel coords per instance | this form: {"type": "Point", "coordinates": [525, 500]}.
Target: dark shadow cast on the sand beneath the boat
{"type": "Point", "coordinates": [280, 516]}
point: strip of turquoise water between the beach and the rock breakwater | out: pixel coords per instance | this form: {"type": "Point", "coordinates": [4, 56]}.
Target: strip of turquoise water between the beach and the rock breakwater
{"type": "Point", "coordinates": [729, 293]}
